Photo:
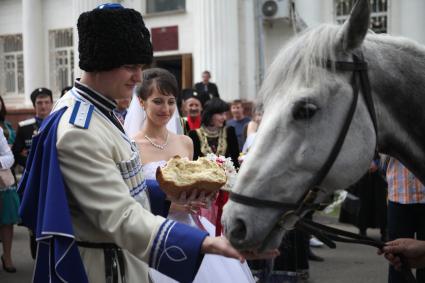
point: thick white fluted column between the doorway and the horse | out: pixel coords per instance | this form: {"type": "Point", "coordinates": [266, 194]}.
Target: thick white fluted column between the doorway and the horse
{"type": "Point", "coordinates": [217, 45]}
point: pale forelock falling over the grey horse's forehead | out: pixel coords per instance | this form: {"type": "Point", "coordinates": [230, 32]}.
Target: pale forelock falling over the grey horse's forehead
{"type": "Point", "coordinates": [298, 61]}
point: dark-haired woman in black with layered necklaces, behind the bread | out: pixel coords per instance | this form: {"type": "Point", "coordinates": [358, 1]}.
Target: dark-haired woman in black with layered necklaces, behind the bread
{"type": "Point", "coordinates": [214, 137]}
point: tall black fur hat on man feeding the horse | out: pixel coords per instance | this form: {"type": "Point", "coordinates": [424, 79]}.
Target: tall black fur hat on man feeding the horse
{"type": "Point", "coordinates": [111, 36]}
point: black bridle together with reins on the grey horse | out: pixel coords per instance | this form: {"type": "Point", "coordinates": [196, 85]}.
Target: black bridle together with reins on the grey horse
{"type": "Point", "coordinates": [294, 217]}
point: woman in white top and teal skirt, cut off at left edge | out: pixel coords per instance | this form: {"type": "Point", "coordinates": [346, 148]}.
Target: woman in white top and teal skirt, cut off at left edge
{"type": "Point", "coordinates": [9, 204]}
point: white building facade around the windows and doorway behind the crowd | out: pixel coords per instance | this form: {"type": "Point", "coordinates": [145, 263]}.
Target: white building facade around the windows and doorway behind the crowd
{"type": "Point", "coordinates": [223, 36]}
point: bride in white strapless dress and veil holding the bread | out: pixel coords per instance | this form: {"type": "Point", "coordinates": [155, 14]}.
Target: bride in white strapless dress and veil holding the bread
{"type": "Point", "coordinates": [154, 125]}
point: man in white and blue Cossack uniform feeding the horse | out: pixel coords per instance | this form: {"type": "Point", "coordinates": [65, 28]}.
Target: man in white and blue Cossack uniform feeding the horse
{"type": "Point", "coordinates": [85, 194]}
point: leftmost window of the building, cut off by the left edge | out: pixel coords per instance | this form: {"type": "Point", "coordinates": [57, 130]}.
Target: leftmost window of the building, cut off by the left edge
{"type": "Point", "coordinates": [11, 65]}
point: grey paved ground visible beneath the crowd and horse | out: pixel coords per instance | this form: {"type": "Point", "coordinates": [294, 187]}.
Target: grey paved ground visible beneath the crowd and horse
{"type": "Point", "coordinates": [348, 263]}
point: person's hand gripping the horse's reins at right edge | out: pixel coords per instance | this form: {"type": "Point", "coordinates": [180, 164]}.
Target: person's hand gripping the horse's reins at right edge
{"type": "Point", "coordinates": [413, 250]}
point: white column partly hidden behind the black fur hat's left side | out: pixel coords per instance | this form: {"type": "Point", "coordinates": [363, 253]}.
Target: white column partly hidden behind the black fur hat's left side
{"type": "Point", "coordinates": [78, 7]}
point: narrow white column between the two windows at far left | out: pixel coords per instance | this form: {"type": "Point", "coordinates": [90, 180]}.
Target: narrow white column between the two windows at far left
{"type": "Point", "coordinates": [33, 46]}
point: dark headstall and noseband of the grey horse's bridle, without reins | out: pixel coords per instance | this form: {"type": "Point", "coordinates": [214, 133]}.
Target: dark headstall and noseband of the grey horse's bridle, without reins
{"type": "Point", "coordinates": [359, 80]}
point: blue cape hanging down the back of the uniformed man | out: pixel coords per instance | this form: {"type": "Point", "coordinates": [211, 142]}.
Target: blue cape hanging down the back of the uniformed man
{"type": "Point", "coordinates": [44, 210]}
